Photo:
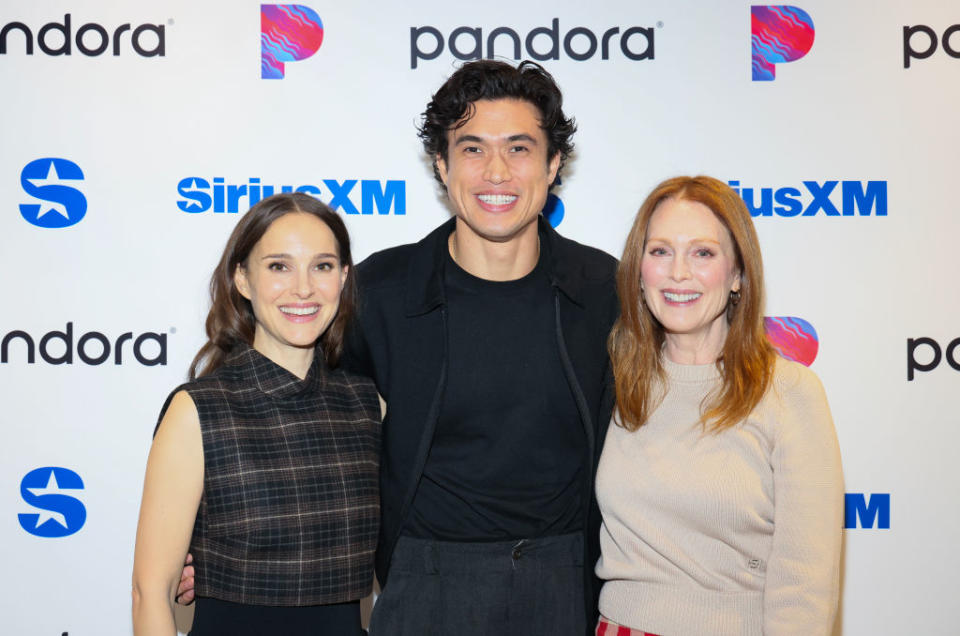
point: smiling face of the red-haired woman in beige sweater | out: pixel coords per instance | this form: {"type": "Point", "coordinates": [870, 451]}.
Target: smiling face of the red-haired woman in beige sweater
{"type": "Point", "coordinates": [688, 269]}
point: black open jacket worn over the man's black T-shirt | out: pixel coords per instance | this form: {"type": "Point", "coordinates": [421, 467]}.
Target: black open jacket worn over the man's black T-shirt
{"type": "Point", "coordinates": [399, 339]}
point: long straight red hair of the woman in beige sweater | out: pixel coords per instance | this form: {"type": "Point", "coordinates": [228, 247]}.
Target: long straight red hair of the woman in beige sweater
{"type": "Point", "coordinates": [635, 344]}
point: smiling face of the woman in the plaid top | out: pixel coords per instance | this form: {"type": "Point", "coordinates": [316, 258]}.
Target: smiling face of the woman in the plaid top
{"type": "Point", "coordinates": [293, 280]}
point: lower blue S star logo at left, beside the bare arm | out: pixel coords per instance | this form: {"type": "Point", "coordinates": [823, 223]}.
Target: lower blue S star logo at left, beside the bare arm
{"type": "Point", "coordinates": [51, 490]}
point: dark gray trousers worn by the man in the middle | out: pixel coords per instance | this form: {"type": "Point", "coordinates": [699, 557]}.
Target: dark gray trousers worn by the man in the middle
{"type": "Point", "coordinates": [530, 587]}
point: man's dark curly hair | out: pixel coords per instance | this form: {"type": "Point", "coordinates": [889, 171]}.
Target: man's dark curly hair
{"type": "Point", "coordinates": [452, 105]}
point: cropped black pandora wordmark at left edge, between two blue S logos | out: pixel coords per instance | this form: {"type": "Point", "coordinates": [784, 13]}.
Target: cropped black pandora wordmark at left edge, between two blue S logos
{"type": "Point", "coordinates": [93, 347]}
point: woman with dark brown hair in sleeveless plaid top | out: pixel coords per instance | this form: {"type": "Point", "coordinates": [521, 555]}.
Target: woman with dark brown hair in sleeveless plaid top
{"type": "Point", "coordinates": [265, 464]}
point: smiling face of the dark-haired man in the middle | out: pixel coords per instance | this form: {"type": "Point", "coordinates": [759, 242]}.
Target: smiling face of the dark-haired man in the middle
{"type": "Point", "coordinates": [497, 172]}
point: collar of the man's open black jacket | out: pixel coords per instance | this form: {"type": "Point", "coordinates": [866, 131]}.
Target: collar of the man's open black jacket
{"type": "Point", "coordinates": [425, 271]}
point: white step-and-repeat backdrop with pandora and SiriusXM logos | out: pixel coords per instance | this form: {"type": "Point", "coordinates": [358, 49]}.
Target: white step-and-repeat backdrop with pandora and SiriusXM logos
{"type": "Point", "coordinates": [134, 134]}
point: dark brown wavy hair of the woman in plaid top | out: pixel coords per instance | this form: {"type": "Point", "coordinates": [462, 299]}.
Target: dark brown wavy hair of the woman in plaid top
{"type": "Point", "coordinates": [231, 318]}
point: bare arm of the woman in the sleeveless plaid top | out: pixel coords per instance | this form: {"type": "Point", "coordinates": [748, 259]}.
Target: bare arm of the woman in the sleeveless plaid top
{"type": "Point", "coordinates": [171, 495]}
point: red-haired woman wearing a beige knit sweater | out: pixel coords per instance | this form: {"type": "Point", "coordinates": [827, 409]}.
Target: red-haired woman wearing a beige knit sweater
{"type": "Point", "coordinates": [720, 485]}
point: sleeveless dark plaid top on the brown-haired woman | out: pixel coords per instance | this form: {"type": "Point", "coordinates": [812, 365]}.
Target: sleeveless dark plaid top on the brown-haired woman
{"type": "Point", "coordinates": [290, 508]}
